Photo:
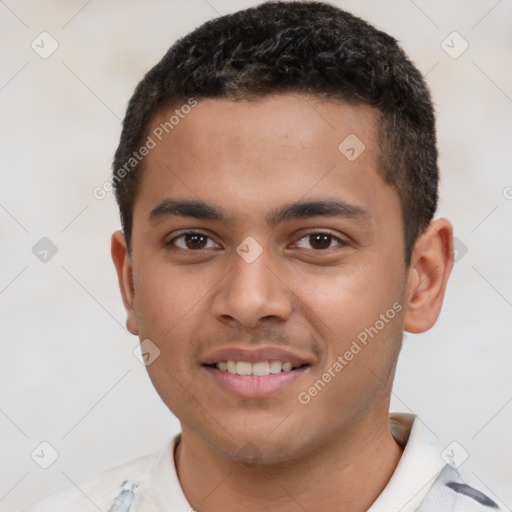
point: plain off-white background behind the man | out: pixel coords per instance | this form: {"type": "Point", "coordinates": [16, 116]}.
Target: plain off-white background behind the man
{"type": "Point", "coordinates": [68, 373]}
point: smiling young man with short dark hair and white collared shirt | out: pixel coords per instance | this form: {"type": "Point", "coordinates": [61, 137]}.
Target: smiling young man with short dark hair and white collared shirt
{"type": "Point", "coordinates": [277, 182]}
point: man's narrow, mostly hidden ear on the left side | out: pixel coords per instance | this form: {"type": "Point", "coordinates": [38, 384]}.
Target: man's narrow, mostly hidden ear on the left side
{"type": "Point", "coordinates": [123, 264]}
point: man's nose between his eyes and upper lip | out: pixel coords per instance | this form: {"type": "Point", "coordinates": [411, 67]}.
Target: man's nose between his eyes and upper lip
{"type": "Point", "coordinates": [251, 292]}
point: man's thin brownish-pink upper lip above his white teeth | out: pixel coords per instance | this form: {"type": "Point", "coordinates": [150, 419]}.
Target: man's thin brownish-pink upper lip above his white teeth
{"type": "Point", "coordinates": [254, 355]}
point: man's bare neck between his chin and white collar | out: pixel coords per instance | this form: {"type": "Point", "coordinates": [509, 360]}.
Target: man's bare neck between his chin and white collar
{"type": "Point", "coordinates": [347, 473]}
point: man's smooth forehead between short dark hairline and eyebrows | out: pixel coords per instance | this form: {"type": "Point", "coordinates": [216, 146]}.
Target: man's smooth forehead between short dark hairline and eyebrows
{"type": "Point", "coordinates": [249, 156]}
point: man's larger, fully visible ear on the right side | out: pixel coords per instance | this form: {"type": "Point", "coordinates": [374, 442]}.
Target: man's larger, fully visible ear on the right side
{"type": "Point", "coordinates": [431, 264]}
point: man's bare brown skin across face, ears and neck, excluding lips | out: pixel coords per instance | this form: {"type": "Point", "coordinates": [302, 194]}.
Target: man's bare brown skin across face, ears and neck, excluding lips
{"type": "Point", "coordinates": [250, 157]}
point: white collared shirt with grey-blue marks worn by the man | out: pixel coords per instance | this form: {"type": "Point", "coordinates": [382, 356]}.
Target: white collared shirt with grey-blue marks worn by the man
{"type": "Point", "coordinates": [422, 482]}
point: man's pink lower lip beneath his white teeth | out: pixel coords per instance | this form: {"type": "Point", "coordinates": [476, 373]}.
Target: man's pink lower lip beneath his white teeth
{"type": "Point", "coordinates": [254, 387]}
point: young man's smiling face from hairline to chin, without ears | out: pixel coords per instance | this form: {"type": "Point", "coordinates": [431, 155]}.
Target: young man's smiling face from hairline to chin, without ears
{"type": "Point", "coordinates": [304, 299]}
